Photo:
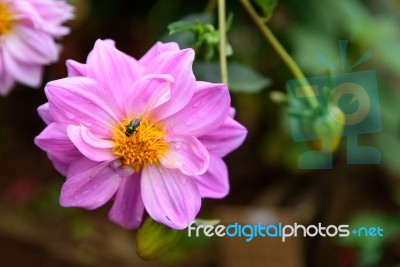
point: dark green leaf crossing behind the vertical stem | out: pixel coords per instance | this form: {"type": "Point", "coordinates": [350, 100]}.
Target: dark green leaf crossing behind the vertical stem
{"type": "Point", "coordinates": [241, 78]}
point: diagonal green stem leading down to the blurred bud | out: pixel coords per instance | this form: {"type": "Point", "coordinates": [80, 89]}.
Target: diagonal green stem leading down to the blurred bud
{"type": "Point", "coordinates": [294, 68]}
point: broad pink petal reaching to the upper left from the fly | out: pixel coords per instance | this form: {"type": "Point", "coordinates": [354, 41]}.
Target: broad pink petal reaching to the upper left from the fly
{"type": "Point", "coordinates": [81, 100]}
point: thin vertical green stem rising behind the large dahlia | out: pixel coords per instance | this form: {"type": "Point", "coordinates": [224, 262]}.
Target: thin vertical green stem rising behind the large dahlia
{"type": "Point", "coordinates": [222, 41]}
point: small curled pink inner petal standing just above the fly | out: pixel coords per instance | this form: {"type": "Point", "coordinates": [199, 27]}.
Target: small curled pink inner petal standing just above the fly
{"type": "Point", "coordinates": [148, 93]}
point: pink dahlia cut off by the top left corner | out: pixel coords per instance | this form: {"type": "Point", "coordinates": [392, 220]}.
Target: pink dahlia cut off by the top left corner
{"type": "Point", "coordinates": [27, 32]}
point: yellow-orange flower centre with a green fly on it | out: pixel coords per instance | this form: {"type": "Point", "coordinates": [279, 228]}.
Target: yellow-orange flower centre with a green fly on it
{"type": "Point", "coordinates": [139, 144]}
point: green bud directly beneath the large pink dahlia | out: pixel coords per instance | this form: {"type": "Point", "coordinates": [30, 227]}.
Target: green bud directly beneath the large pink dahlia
{"type": "Point", "coordinates": [154, 239]}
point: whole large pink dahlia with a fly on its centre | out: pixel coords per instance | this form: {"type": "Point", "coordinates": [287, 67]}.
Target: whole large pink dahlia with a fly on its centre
{"type": "Point", "coordinates": [143, 133]}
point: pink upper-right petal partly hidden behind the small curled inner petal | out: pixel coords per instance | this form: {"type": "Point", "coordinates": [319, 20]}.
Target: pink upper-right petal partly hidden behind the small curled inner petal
{"type": "Point", "coordinates": [179, 65]}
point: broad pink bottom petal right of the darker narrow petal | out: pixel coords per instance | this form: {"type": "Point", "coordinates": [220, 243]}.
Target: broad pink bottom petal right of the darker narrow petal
{"type": "Point", "coordinates": [170, 197]}
